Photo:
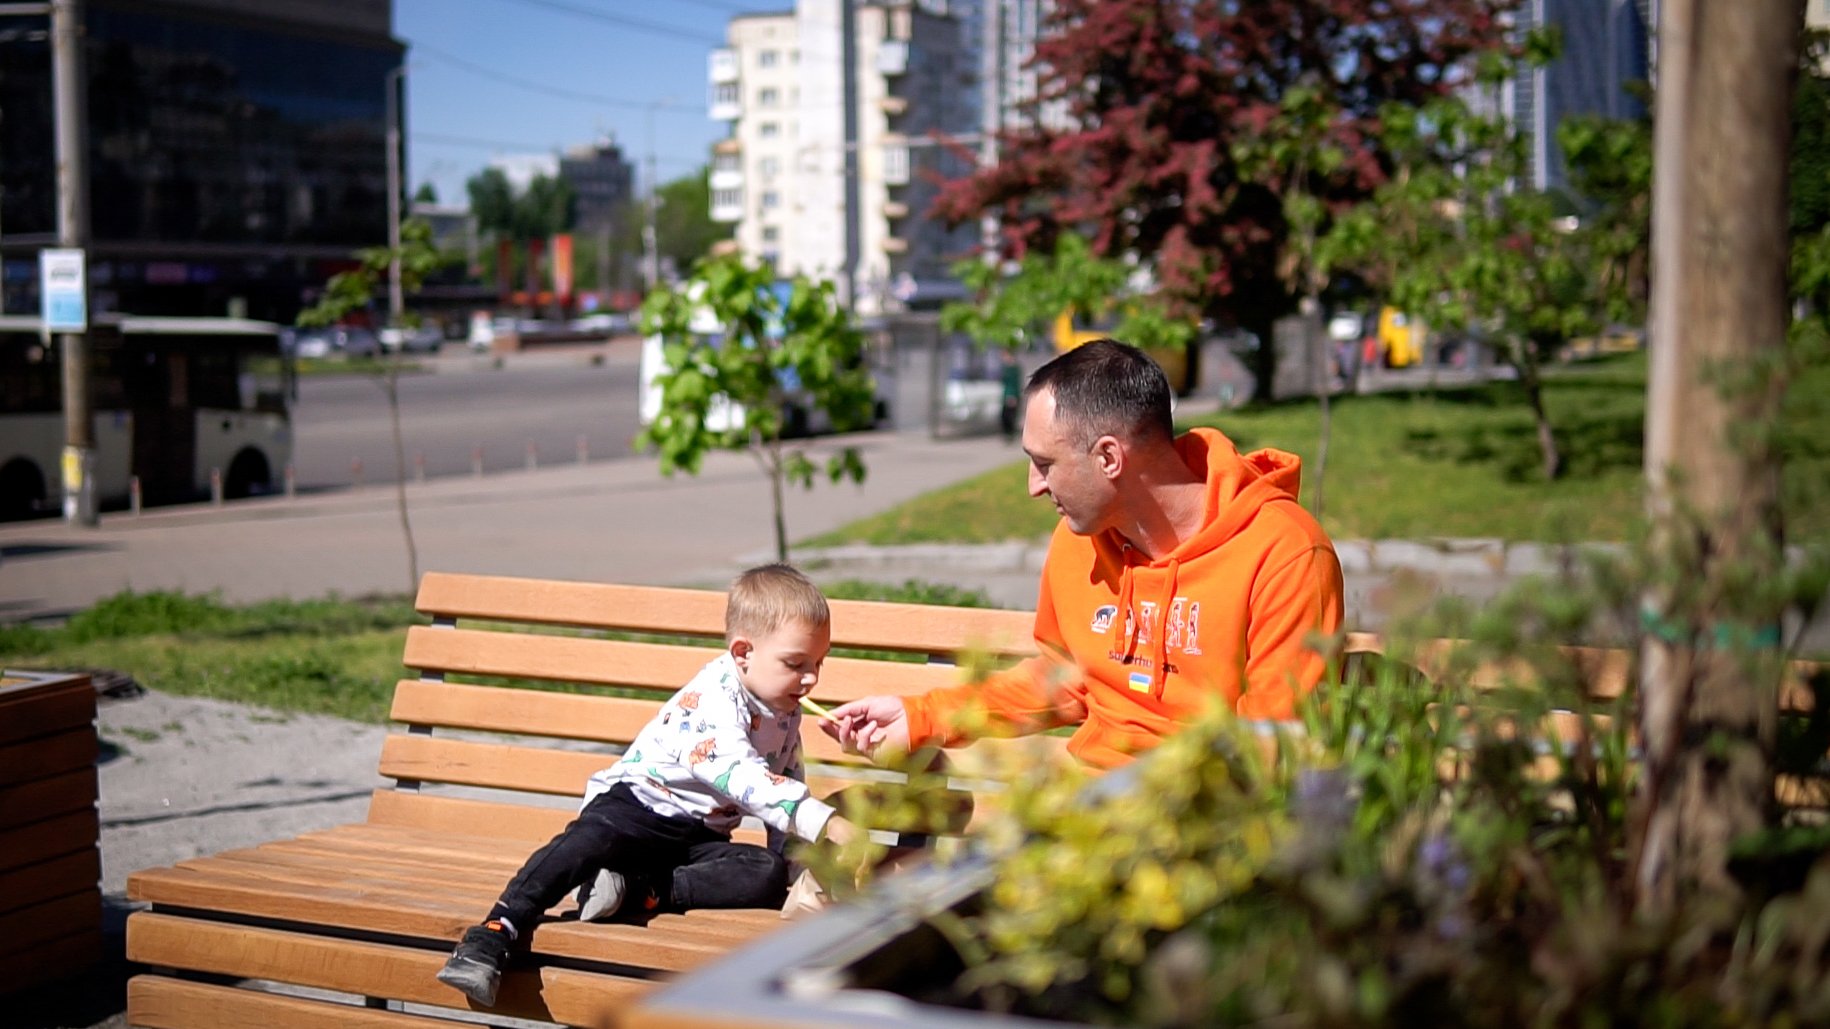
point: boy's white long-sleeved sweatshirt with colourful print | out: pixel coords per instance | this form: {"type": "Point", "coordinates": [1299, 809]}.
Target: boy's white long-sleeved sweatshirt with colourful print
{"type": "Point", "coordinates": [716, 753]}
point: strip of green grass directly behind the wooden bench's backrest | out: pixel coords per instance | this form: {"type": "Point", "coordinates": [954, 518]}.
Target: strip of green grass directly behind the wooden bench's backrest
{"type": "Point", "coordinates": [299, 656]}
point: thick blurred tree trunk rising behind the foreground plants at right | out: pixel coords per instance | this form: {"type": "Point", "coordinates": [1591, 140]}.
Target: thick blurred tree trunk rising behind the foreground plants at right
{"type": "Point", "coordinates": [1719, 305]}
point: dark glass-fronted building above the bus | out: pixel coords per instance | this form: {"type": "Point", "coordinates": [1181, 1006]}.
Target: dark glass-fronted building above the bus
{"type": "Point", "coordinates": [237, 151]}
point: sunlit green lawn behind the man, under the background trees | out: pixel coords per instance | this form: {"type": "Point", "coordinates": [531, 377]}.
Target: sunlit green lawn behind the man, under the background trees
{"type": "Point", "coordinates": [1456, 462]}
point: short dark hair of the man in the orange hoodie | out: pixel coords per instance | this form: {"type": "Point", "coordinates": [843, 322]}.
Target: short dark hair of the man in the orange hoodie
{"type": "Point", "coordinates": [1106, 389]}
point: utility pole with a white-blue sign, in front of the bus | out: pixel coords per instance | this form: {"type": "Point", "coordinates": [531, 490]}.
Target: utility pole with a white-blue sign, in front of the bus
{"type": "Point", "coordinates": [70, 100]}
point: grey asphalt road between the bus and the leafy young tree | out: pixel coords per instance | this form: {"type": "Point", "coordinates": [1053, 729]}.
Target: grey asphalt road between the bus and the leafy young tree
{"type": "Point", "coordinates": [446, 417]}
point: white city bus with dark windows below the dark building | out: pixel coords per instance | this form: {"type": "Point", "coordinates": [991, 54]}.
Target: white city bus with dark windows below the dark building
{"type": "Point", "coordinates": [177, 402]}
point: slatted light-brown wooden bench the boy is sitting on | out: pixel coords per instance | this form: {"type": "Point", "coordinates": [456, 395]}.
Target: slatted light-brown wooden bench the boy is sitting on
{"type": "Point", "coordinates": [519, 699]}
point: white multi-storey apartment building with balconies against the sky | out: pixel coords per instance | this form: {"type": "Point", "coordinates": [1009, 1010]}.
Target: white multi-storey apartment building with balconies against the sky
{"type": "Point", "coordinates": [837, 124]}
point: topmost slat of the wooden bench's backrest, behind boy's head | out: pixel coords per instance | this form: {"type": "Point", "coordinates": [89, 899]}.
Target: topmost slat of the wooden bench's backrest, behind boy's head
{"type": "Point", "coordinates": [912, 629]}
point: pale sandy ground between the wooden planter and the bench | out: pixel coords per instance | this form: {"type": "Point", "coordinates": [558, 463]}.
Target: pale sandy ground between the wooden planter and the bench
{"type": "Point", "coordinates": [188, 777]}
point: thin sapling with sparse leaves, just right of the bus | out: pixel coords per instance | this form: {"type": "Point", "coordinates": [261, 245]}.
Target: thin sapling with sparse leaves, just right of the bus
{"type": "Point", "coordinates": [350, 292]}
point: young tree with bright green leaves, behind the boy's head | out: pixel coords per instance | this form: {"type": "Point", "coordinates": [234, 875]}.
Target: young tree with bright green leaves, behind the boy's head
{"type": "Point", "coordinates": [733, 395]}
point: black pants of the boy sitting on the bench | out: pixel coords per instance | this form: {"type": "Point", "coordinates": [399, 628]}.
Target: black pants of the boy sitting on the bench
{"type": "Point", "coordinates": [689, 865]}
